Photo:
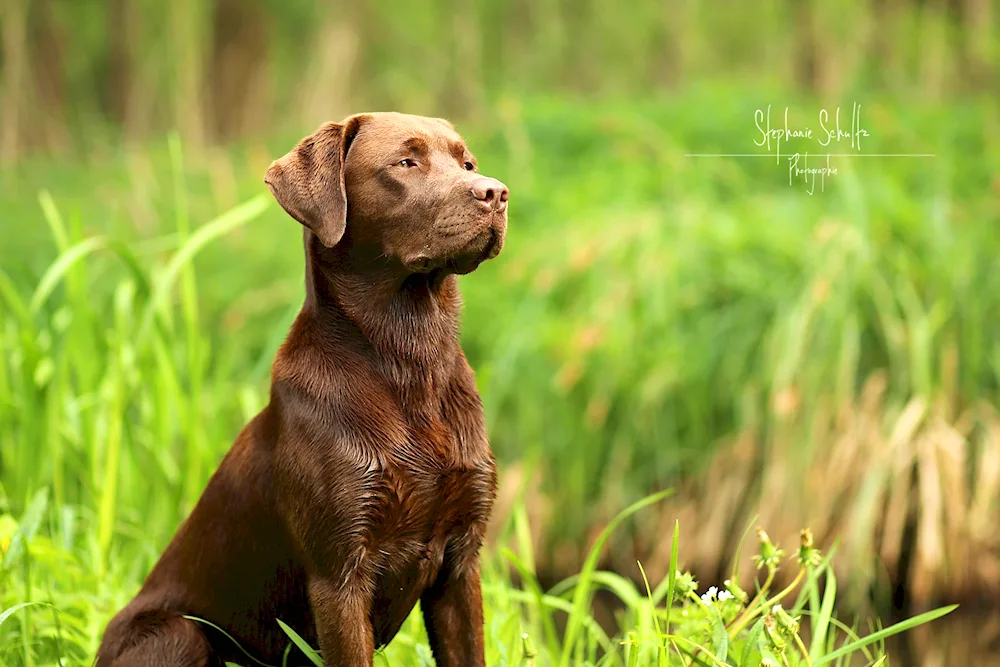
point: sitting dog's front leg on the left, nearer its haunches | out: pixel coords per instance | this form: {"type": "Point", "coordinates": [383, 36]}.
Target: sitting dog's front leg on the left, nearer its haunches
{"type": "Point", "coordinates": [343, 621]}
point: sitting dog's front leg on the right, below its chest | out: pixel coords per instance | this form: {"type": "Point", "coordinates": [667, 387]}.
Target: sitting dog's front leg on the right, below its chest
{"type": "Point", "coordinates": [453, 613]}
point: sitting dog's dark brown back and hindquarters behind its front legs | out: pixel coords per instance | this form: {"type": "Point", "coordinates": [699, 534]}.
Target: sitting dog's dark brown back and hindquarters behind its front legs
{"type": "Point", "coordinates": [231, 563]}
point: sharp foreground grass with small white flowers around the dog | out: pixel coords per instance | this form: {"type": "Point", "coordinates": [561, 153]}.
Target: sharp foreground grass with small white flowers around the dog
{"type": "Point", "coordinates": [61, 624]}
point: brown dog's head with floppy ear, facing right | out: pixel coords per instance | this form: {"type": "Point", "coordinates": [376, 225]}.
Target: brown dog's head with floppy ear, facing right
{"type": "Point", "coordinates": [395, 188]}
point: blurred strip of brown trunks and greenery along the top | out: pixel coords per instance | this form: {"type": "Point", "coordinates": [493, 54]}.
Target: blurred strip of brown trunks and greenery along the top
{"type": "Point", "coordinates": [78, 74]}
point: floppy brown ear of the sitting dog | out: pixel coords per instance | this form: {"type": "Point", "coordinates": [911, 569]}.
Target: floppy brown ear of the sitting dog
{"type": "Point", "coordinates": [308, 182]}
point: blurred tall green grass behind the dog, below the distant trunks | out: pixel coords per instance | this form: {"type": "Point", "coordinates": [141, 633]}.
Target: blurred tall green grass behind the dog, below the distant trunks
{"type": "Point", "coordinates": [654, 321]}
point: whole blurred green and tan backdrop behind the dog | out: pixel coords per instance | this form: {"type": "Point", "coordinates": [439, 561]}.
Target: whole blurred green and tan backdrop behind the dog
{"type": "Point", "coordinates": [656, 320]}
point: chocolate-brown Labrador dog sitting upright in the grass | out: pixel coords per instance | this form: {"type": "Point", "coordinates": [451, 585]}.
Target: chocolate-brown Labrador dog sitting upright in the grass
{"type": "Point", "coordinates": [366, 483]}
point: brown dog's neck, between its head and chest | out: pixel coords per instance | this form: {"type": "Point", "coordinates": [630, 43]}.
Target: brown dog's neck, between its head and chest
{"type": "Point", "coordinates": [410, 320]}
